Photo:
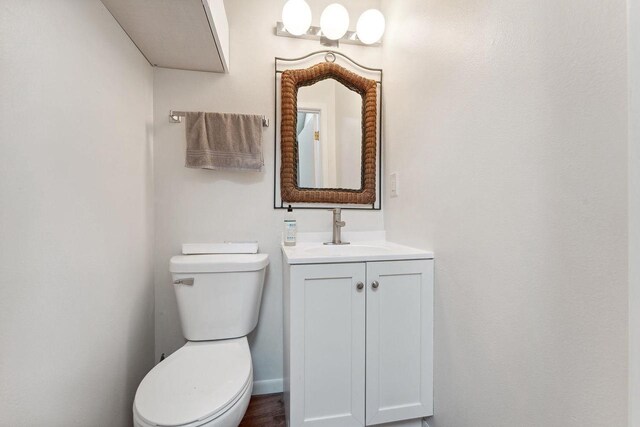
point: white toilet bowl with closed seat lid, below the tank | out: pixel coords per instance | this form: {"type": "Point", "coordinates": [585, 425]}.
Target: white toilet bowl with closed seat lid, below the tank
{"type": "Point", "coordinates": [195, 385]}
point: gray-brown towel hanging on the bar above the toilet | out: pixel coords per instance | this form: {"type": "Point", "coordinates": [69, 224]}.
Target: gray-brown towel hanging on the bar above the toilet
{"type": "Point", "coordinates": [224, 141]}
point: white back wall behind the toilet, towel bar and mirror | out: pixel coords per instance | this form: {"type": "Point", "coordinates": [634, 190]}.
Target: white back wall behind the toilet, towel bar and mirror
{"type": "Point", "coordinates": [201, 205]}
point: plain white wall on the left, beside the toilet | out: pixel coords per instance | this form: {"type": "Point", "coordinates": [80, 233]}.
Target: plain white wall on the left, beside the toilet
{"type": "Point", "coordinates": [76, 289]}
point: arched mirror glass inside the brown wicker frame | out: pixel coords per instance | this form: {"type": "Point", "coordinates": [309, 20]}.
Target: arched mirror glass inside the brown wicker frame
{"type": "Point", "coordinates": [332, 157]}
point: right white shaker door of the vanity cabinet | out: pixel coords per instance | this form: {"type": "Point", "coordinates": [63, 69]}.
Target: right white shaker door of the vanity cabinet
{"type": "Point", "coordinates": [399, 340]}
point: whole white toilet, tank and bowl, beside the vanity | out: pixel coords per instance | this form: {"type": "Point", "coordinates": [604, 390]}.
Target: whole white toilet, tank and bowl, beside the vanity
{"type": "Point", "coordinates": [207, 382]}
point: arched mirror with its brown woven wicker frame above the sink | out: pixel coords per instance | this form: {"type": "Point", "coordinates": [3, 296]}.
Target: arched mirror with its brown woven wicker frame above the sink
{"type": "Point", "coordinates": [328, 136]}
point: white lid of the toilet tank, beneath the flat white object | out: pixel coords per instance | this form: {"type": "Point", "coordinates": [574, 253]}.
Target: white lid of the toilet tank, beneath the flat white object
{"type": "Point", "coordinates": [219, 263]}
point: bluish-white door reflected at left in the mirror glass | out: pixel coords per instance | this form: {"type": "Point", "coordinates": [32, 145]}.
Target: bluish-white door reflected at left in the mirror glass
{"type": "Point", "coordinates": [309, 149]}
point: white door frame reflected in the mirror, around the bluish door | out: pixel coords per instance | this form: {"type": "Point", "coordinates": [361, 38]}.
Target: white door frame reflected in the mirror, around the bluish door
{"type": "Point", "coordinates": [327, 149]}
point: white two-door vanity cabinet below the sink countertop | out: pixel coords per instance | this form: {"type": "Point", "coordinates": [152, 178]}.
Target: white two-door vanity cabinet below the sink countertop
{"type": "Point", "coordinates": [358, 343]}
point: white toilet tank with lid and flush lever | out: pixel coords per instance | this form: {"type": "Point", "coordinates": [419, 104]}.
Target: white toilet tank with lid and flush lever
{"type": "Point", "coordinates": [218, 295]}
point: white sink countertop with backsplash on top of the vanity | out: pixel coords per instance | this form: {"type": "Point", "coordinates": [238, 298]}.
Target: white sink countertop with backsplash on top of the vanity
{"type": "Point", "coordinates": [311, 251]}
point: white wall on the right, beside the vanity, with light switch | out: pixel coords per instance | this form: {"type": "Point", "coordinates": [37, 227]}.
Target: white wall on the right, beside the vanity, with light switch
{"type": "Point", "coordinates": [514, 171]}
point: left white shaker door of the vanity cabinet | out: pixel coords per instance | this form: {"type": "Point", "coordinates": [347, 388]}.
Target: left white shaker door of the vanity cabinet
{"type": "Point", "coordinates": [327, 345]}
